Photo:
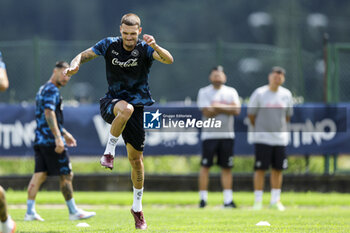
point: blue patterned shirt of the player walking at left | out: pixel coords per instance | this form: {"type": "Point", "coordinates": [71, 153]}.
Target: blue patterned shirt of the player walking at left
{"type": "Point", "coordinates": [48, 97]}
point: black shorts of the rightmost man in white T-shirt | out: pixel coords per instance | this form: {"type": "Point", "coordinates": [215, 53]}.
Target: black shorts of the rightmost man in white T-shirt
{"type": "Point", "coordinates": [266, 155]}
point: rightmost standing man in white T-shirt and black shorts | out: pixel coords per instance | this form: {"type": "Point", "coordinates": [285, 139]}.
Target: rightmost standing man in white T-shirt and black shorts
{"type": "Point", "coordinates": [269, 110]}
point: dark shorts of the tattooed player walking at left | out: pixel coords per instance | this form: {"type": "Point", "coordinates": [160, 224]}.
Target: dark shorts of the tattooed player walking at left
{"type": "Point", "coordinates": [47, 160]}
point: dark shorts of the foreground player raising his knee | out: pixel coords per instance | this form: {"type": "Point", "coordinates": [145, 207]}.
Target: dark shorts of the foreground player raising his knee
{"type": "Point", "coordinates": [133, 133]}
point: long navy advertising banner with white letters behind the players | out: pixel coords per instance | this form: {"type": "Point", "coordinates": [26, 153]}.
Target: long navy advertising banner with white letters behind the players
{"type": "Point", "coordinates": [314, 129]}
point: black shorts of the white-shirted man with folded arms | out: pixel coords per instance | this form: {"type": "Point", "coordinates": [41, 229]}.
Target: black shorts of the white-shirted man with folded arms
{"type": "Point", "coordinates": [223, 148]}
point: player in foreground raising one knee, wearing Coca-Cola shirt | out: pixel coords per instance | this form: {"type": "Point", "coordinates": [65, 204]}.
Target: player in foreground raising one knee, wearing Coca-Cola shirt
{"type": "Point", "coordinates": [128, 62]}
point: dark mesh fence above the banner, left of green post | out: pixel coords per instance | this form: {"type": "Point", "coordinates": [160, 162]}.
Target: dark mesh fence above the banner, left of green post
{"type": "Point", "coordinates": [30, 63]}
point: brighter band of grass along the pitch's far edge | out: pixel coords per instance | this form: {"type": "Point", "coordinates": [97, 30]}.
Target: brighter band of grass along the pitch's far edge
{"type": "Point", "coordinates": [290, 199]}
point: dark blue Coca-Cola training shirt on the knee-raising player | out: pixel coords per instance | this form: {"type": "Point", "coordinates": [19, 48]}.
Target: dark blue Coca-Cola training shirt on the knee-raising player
{"type": "Point", "coordinates": [127, 71]}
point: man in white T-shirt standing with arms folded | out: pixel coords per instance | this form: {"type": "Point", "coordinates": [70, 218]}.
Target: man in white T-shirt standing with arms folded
{"type": "Point", "coordinates": [222, 103]}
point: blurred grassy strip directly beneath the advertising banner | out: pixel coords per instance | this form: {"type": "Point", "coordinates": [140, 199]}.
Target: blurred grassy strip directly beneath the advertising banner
{"type": "Point", "coordinates": [170, 164]}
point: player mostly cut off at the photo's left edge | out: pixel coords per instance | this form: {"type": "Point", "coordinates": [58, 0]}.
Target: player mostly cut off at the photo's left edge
{"type": "Point", "coordinates": [7, 224]}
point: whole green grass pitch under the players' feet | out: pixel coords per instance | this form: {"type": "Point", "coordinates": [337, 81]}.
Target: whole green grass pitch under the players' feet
{"type": "Point", "coordinates": [178, 212]}
